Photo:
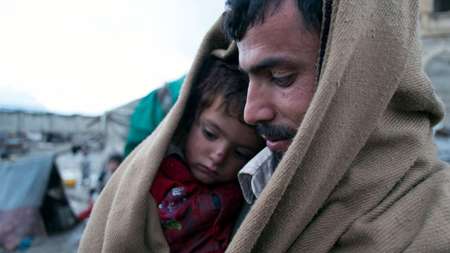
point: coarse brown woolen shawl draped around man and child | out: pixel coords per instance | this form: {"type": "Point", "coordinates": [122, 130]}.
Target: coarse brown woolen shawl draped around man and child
{"type": "Point", "coordinates": [361, 174]}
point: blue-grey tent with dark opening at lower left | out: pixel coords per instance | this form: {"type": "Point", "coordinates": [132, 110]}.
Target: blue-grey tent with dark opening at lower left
{"type": "Point", "coordinates": [32, 199]}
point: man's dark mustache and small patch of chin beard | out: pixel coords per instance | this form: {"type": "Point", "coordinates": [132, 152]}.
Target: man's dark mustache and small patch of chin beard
{"type": "Point", "coordinates": [273, 132]}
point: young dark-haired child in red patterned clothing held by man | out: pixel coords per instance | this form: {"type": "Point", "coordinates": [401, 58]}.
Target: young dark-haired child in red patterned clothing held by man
{"type": "Point", "coordinates": [196, 187]}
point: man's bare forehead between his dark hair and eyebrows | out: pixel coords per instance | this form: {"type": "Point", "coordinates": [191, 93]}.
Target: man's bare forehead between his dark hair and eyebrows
{"type": "Point", "coordinates": [276, 40]}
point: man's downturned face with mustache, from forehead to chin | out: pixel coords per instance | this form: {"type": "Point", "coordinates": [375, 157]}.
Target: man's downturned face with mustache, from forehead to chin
{"type": "Point", "coordinates": [280, 57]}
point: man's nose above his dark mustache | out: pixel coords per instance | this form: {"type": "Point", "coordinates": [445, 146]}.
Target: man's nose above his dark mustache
{"type": "Point", "coordinates": [258, 107]}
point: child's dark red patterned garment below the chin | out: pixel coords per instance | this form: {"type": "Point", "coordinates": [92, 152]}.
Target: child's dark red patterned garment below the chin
{"type": "Point", "coordinates": [195, 217]}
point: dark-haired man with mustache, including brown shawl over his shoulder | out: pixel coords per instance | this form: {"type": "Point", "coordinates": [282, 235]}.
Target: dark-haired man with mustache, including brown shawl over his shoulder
{"type": "Point", "coordinates": [338, 186]}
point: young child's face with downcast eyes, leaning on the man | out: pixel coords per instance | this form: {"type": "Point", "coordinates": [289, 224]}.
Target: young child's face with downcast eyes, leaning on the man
{"type": "Point", "coordinates": [218, 145]}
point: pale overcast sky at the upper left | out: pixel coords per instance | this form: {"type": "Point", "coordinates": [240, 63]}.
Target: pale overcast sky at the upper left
{"type": "Point", "coordinates": [89, 56]}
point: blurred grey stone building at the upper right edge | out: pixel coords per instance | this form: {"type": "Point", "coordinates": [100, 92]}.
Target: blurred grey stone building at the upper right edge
{"type": "Point", "coordinates": [435, 33]}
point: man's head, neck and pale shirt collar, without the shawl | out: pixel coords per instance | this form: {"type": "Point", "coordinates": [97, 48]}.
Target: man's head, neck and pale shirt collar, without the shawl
{"type": "Point", "coordinates": [282, 69]}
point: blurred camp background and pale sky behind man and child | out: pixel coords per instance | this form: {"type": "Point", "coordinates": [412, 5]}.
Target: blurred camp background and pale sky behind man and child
{"type": "Point", "coordinates": [83, 82]}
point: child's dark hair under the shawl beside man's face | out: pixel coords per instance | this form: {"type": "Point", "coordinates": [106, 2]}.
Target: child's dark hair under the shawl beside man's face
{"type": "Point", "coordinates": [217, 79]}
